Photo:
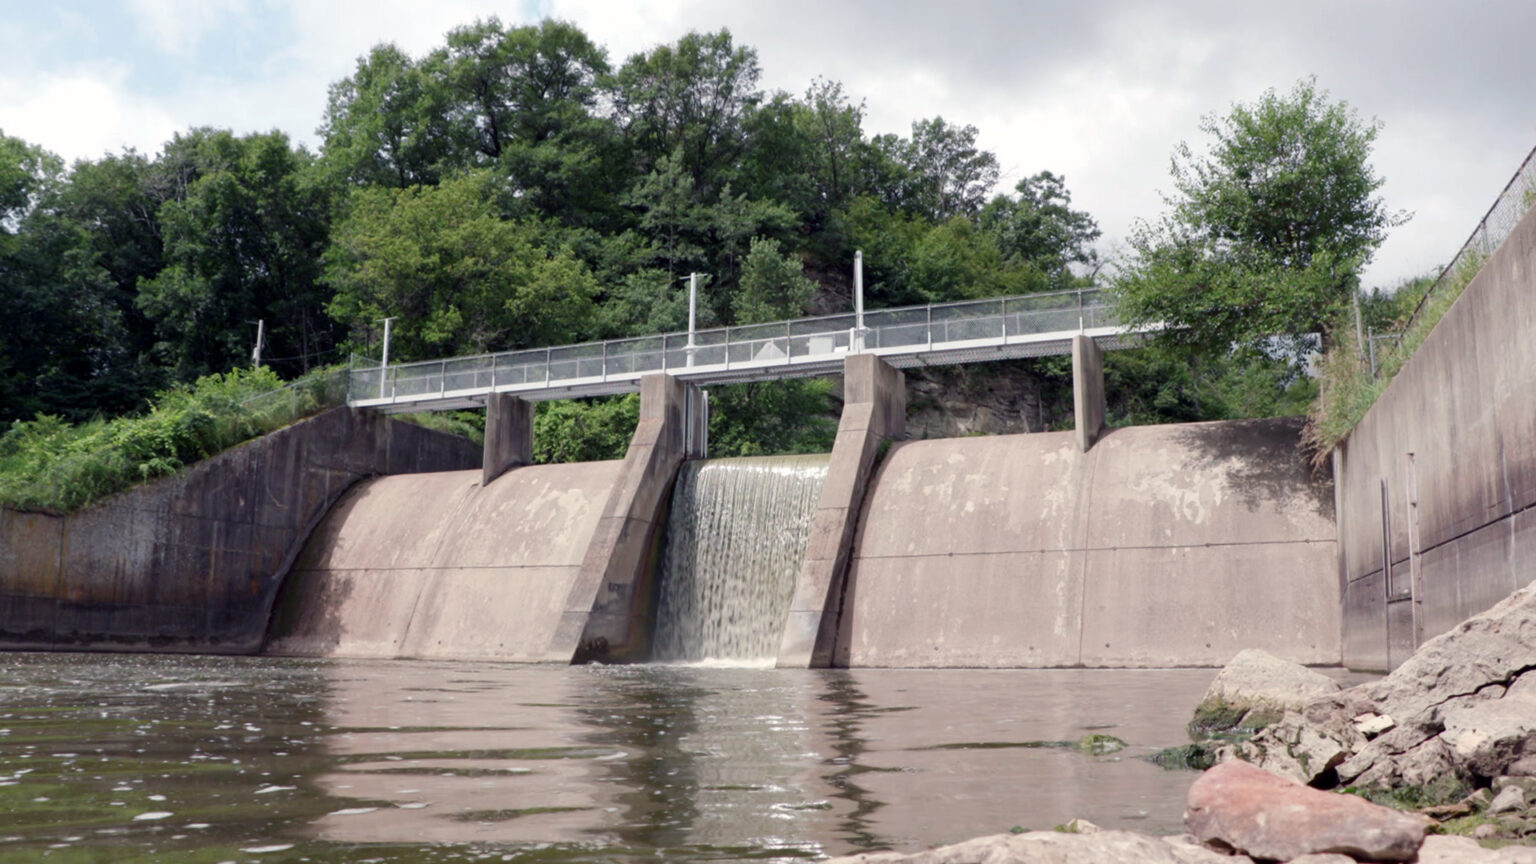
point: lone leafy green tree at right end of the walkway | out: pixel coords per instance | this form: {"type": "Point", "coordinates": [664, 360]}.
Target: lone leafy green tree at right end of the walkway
{"type": "Point", "coordinates": [1268, 231]}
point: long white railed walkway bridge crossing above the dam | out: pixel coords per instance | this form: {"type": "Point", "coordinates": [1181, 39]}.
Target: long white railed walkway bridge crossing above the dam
{"type": "Point", "coordinates": [1002, 328]}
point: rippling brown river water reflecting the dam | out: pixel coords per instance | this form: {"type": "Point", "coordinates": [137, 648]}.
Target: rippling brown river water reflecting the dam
{"type": "Point", "coordinates": [205, 760]}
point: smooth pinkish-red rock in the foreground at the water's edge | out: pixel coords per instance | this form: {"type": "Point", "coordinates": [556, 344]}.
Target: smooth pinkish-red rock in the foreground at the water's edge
{"type": "Point", "coordinates": [1274, 819]}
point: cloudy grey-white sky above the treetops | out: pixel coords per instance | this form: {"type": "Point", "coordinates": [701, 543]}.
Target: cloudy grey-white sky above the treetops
{"type": "Point", "coordinates": [1099, 91]}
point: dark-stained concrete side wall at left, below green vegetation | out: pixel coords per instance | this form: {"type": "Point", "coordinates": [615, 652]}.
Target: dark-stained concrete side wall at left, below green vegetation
{"type": "Point", "coordinates": [193, 562]}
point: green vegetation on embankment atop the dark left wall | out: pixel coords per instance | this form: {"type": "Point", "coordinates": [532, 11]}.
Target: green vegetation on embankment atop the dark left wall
{"type": "Point", "coordinates": [53, 467]}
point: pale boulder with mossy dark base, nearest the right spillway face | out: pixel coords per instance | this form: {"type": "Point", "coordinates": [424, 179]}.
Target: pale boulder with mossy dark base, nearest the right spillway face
{"type": "Point", "coordinates": [1257, 690]}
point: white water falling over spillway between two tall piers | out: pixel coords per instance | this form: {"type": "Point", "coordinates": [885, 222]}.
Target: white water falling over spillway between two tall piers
{"type": "Point", "coordinates": [735, 543]}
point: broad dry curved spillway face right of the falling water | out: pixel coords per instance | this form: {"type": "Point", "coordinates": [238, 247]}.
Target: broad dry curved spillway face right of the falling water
{"type": "Point", "coordinates": [1160, 547]}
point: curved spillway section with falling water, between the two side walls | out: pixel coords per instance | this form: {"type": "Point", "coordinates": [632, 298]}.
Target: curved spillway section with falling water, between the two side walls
{"type": "Point", "coordinates": [1157, 547]}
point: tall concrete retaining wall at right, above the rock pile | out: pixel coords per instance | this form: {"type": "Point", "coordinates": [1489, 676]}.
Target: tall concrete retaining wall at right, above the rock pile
{"type": "Point", "coordinates": [1460, 508]}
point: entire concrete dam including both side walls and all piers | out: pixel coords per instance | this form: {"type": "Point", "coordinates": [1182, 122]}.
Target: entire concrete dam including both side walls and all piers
{"type": "Point", "coordinates": [357, 536]}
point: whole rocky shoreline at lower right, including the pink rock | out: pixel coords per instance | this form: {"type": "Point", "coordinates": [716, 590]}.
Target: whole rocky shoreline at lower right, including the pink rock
{"type": "Point", "coordinates": [1434, 763]}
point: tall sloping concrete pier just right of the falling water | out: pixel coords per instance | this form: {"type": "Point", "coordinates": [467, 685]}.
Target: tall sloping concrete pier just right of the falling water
{"type": "Point", "coordinates": [875, 413]}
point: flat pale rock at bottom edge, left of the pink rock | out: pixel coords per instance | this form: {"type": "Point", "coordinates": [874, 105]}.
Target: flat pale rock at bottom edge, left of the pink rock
{"type": "Point", "coordinates": [1051, 848]}
